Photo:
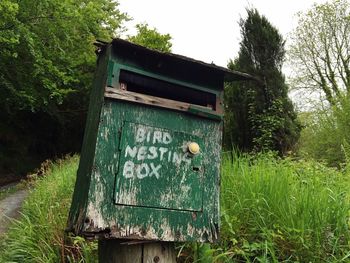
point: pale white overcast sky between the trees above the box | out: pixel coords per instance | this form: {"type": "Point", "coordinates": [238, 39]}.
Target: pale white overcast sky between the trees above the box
{"type": "Point", "coordinates": [208, 30]}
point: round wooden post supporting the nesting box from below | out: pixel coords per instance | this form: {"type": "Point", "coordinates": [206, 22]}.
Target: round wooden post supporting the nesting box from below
{"type": "Point", "coordinates": [121, 251]}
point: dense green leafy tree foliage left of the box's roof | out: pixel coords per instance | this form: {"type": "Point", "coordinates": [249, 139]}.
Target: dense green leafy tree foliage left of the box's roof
{"type": "Point", "coordinates": [52, 49]}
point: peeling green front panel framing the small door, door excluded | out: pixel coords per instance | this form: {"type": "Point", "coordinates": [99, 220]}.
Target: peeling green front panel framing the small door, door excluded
{"type": "Point", "coordinates": [113, 220]}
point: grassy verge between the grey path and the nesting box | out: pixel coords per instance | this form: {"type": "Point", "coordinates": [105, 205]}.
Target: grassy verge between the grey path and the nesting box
{"type": "Point", "coordinates": [38, 236]}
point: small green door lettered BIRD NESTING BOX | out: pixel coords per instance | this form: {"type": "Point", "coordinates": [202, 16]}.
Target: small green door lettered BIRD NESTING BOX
{"type": "Point", "coordinates": [156, 169]}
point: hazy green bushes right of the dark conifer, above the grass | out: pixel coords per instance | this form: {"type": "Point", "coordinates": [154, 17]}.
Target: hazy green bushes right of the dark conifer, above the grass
{"type": "Point", "coordinates": [326, 136]}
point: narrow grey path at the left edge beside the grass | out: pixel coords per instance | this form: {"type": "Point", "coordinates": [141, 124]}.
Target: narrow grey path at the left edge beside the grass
{"type": "Point", "coordinates": [9, 209]}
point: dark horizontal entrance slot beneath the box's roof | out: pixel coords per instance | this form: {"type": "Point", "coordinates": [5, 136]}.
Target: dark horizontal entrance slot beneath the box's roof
{"type": "Point", "coordinates": [149, 86]}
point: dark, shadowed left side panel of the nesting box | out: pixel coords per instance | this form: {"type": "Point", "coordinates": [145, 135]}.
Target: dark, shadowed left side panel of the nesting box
{"type": "Point", "coordinates": [80, 196]}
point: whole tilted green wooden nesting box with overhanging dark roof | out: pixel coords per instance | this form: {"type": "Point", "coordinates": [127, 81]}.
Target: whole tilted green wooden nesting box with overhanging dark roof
{"type": "Point", "coordinates": [150, 161]}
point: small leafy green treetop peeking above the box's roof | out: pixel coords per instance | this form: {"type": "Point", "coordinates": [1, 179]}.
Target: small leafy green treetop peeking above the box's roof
{"type": "Point", "coordinates": [151, 38]}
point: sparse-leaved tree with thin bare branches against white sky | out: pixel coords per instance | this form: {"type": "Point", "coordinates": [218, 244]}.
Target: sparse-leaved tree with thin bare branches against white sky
{"type": "Point", "coordinates": [320, 51]}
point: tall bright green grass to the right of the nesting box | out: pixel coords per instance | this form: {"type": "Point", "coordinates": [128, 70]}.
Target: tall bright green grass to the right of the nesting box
{"type": "Point", "coordinates": [283, 211]}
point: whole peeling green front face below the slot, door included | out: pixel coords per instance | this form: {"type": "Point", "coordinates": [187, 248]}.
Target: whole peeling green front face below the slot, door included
{"type": "Point", "coordinates": [166, 208]}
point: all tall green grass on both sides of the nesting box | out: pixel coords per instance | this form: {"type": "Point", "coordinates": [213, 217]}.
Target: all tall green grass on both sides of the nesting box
{"type": "Point", "coordinates": [272, 211]}
